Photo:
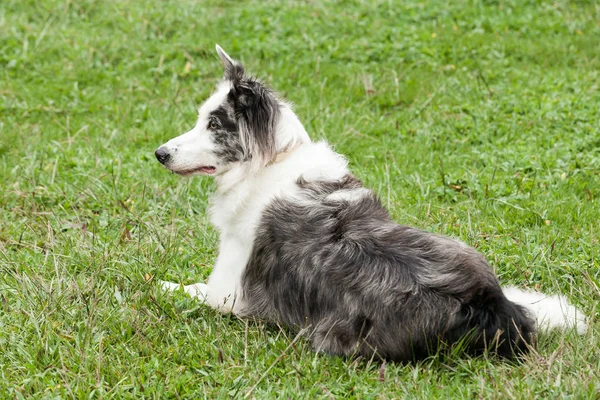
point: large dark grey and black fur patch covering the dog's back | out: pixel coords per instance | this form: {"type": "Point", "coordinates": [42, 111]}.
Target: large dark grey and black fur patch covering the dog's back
{"type": "Point", "coordinates": [368, 286]}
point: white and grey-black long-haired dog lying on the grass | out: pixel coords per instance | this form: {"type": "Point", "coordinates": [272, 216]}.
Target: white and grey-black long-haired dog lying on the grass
{"type": "Point", "coordinates": [303, 243]}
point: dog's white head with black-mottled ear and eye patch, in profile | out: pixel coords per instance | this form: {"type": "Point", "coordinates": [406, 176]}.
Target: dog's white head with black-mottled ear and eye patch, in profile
{"type": "Point", "coordinates": [235, 125]}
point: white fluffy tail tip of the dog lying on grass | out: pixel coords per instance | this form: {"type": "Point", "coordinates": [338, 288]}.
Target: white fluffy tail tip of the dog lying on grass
{"type": "Point", "coordinates": [549, 311]}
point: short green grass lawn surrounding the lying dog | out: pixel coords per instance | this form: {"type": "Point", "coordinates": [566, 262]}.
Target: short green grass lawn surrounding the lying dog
{"type": "Point", "coordinates": [475, 119]}
